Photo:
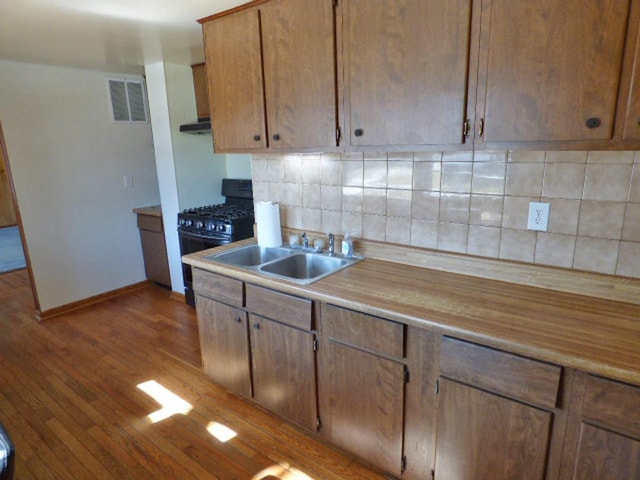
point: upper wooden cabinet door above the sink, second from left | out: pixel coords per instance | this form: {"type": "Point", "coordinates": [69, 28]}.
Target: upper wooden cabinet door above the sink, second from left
{"type": "Point", "coordinates": [300, 77]}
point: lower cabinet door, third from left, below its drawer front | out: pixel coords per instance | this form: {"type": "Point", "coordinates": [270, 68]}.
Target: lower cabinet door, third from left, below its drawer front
{"type": "Point", "coordinates": [366, 399]}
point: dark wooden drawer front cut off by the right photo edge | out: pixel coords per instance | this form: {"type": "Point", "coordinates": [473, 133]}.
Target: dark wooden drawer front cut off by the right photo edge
{"type": "Point", "coordinates": [613, 403]}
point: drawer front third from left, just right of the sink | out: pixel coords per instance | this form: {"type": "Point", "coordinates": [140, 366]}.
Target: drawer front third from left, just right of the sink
{"type": "Point", "coordinates": [365, 331]}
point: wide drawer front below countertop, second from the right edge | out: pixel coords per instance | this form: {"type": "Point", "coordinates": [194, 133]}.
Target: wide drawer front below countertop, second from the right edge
{"type": "Point", "coordinates": [500, 372]}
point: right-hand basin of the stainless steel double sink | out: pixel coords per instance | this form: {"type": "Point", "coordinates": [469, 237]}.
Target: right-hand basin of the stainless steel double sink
{"type": "Point", "coordinates": [306, 267]}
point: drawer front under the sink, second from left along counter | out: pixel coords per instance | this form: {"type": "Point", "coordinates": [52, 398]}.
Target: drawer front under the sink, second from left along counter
{"type": "Point", "coordinates": [294, 311]}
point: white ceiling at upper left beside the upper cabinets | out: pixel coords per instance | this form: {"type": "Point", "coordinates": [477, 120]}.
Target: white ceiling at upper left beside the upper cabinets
{"type": "Point", "coordinates": [118, 36]}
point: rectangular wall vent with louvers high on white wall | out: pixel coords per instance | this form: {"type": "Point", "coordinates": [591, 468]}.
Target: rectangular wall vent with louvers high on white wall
{"type": "Point", "coordinates": [128, 102]}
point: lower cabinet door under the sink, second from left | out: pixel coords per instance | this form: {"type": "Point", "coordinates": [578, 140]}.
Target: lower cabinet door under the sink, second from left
{"type": "Point", "coordinates": [284, 370]}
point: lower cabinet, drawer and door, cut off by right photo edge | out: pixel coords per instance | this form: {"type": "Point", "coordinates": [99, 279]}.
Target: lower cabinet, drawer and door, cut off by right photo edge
{"type": "Point", "coordinates": [603, 438]}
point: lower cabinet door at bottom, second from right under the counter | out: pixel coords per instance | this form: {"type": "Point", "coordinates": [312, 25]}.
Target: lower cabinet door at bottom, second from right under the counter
{"type": "Point", "coordinates": [482, 435]}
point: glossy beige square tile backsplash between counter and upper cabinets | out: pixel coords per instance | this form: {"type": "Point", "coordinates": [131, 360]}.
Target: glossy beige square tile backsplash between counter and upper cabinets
{"type": "Point", "coordinates": [475, 203]}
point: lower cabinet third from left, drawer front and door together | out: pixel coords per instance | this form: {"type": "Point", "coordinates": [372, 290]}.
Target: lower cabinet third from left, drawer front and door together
{"type": "Point", "coordinates": [361, 385]}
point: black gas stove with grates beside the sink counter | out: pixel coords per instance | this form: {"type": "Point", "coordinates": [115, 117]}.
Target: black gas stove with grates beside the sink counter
{"type": "Point", "coordinates": [214, 225]}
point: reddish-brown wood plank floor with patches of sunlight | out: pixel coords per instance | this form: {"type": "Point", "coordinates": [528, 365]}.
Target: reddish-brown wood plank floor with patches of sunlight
{"type": "Point", "coordinates": [70, 400]}
